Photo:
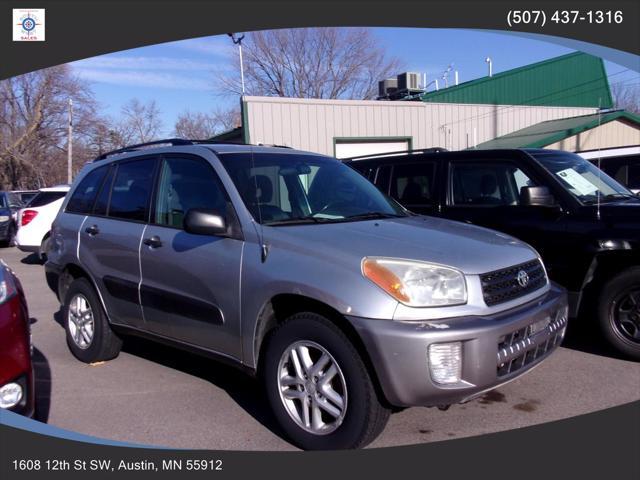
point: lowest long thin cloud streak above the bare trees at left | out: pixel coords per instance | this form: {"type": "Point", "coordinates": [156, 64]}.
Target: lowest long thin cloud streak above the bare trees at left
{"type": "Point", "coordinates": [145, 79]}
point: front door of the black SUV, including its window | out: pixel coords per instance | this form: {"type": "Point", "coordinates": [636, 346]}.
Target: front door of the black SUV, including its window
{"type": "Point", "coordinates": [486, 192]}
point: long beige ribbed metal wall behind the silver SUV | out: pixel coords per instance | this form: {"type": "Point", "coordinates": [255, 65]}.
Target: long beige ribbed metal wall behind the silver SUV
{"type": "Point", "coordinates": [313, 124]}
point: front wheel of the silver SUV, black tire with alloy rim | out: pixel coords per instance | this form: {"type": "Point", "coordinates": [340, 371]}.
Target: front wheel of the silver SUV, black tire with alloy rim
{"type": "Point", "coordinates": [313, 337]}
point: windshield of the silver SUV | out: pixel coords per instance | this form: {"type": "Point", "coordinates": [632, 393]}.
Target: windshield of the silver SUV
{"type": "Point", "coordinates": [281, 189]}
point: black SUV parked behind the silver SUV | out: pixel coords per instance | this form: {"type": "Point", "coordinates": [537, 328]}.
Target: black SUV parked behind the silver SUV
{"type": "Point", "coordinates": [585, 225]}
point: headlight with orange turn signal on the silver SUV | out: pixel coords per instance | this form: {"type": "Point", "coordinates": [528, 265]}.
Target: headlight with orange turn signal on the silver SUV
{"type": "Point", "coordinates": [416, 284]}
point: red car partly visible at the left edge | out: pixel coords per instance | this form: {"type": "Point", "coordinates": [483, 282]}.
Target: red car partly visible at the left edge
{"type": "Point", "coordinates": [16, 371]}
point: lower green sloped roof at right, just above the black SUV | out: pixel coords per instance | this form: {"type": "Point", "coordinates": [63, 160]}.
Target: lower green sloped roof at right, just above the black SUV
{"type": "Point", "coordinates": [552, 131]}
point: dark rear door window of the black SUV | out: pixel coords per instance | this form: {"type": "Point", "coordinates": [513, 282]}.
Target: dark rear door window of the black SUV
{"type": "Point", "coordinates": [412, 184]}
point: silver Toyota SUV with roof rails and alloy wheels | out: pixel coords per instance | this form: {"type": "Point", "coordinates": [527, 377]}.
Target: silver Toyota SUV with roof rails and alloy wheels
{"type": "Point", "coordinates": [293, 267]}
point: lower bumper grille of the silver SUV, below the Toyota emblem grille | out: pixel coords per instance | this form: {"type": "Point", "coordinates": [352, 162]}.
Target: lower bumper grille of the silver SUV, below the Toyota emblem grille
{"type": "Point", "coordinates": [521, 347]}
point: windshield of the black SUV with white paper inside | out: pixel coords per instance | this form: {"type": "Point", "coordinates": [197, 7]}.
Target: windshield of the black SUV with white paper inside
{"type": "Point", "coordinates": [583, 179]}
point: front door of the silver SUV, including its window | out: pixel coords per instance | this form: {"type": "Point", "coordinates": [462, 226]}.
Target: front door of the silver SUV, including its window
{"type": "Point", "coordinates": [191, 283]}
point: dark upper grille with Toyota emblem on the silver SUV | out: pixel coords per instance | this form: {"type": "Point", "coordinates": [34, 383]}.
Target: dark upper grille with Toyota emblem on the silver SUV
{"type": "Point", "coordinates": [509, 283]}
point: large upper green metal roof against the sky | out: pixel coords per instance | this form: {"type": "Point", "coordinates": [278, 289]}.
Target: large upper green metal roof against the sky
{"type": "Point", "coordinates": [573, 80]}
